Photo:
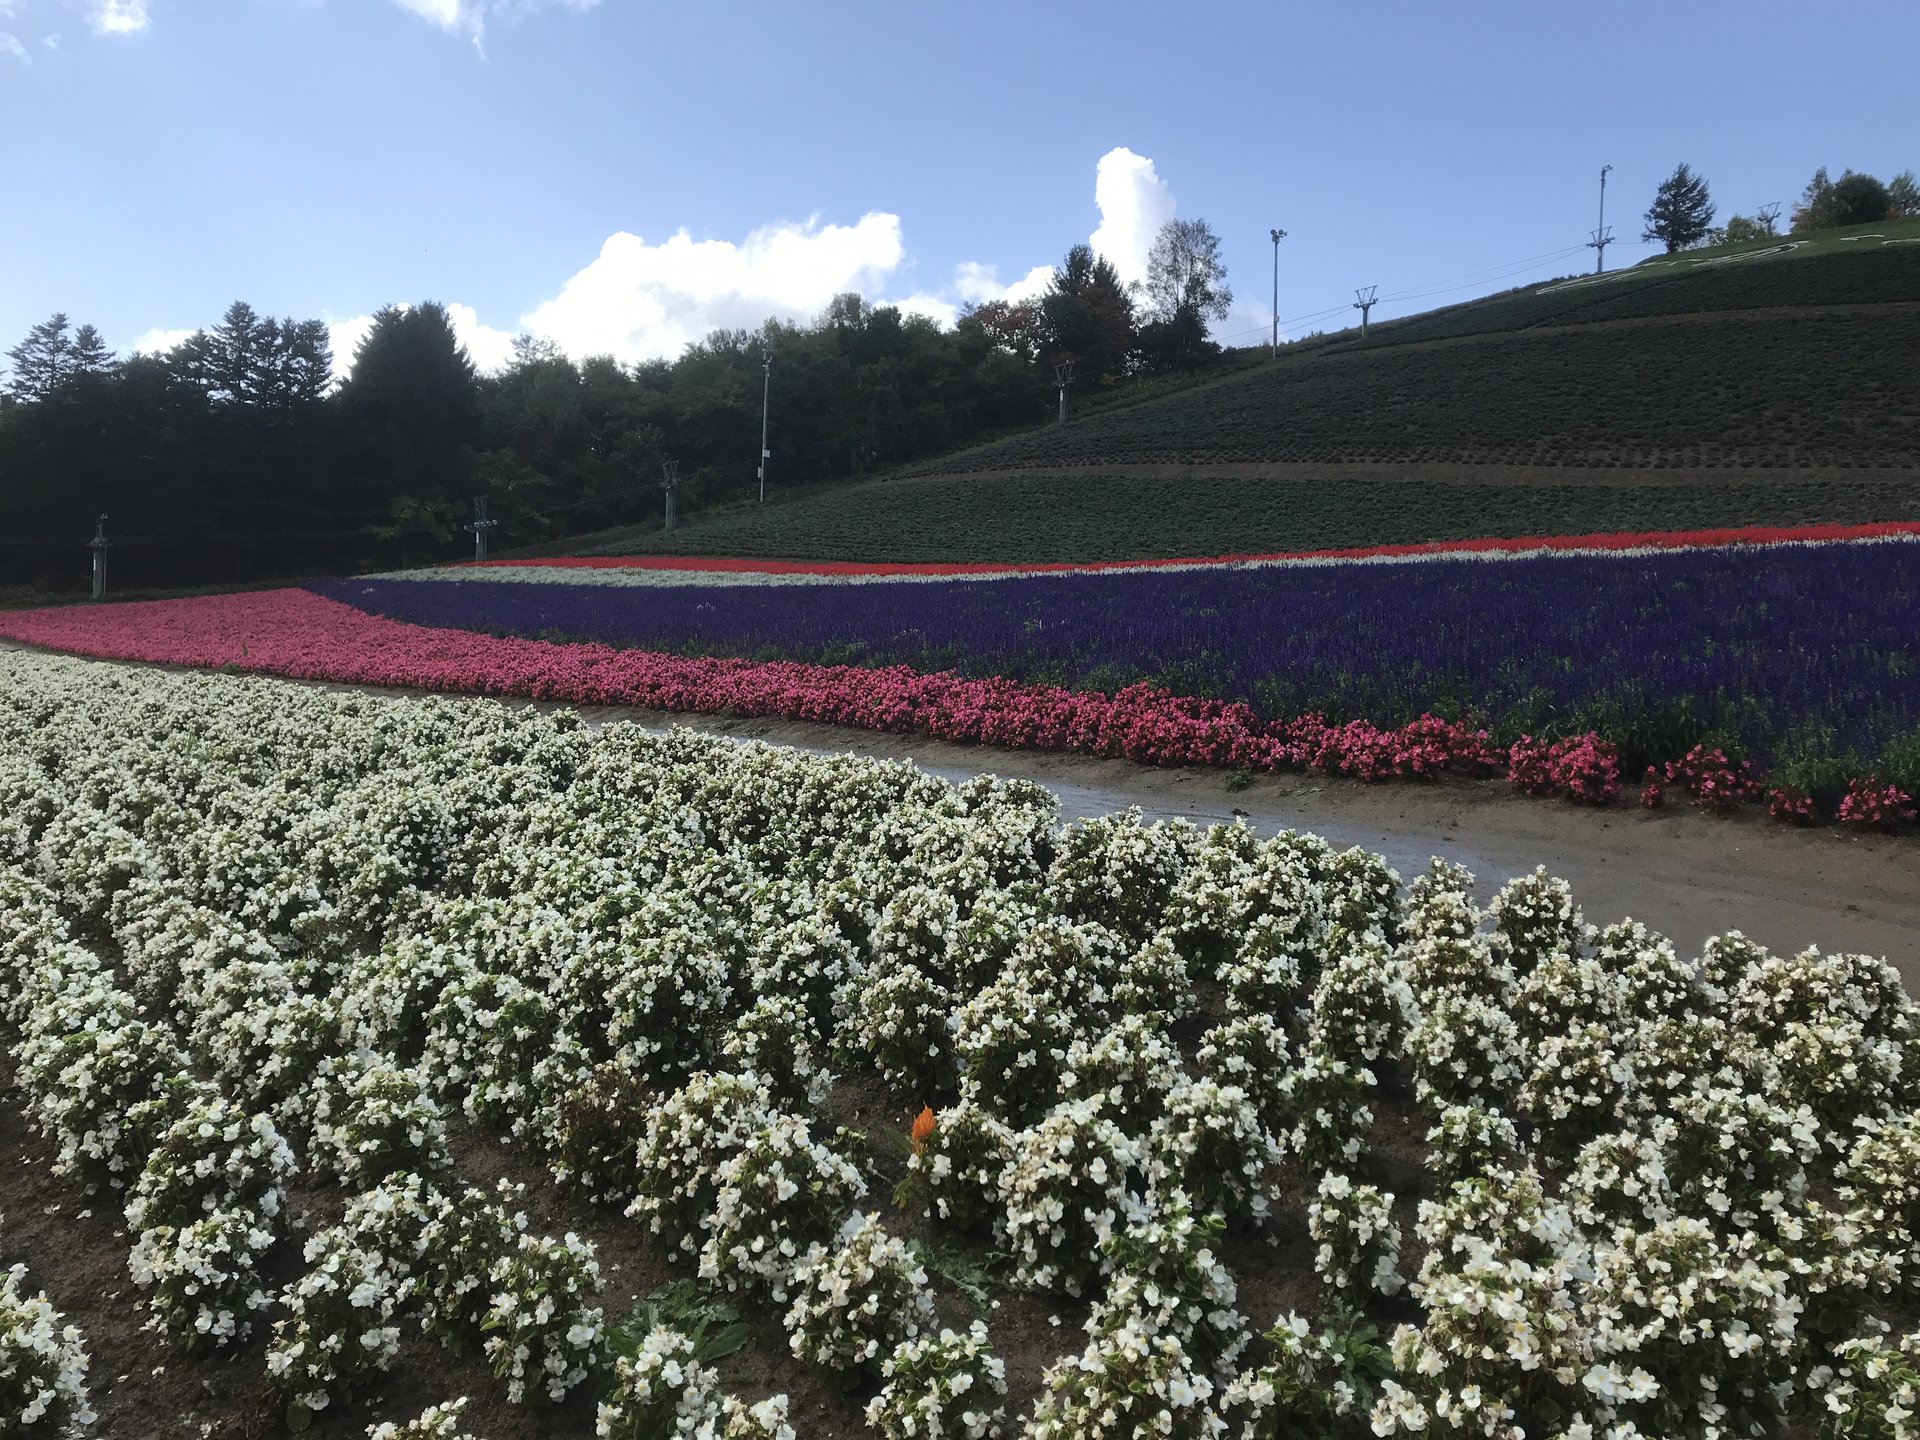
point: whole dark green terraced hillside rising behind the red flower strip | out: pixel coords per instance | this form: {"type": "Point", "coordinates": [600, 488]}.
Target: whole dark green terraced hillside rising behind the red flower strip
{"type": "Point", "coordinates": [1771, 387]}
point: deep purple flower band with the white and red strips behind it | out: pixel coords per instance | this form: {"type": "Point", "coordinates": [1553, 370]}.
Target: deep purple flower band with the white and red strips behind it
{"type": "Point", "coordinates": [1790, 650]}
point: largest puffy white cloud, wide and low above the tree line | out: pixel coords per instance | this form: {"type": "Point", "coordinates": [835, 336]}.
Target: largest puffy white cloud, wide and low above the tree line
{"type": "Point", "coordinates": [650, 302]}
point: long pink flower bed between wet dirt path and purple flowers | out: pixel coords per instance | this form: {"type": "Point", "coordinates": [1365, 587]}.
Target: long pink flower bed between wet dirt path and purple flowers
{"type": "Point", "coordinates": [304, 636]}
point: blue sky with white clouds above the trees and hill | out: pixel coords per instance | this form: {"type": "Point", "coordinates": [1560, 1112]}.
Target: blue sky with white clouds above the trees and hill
{"type": "Point", "coordinates": [625, 178]}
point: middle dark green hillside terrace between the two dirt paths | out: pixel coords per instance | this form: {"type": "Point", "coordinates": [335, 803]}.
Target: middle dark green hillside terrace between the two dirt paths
{"type": "Point", "coordinates": [1810, 391]}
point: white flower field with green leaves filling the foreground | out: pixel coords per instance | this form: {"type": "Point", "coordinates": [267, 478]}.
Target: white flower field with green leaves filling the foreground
{"type": "Point", "coordinates": [896, 1070]}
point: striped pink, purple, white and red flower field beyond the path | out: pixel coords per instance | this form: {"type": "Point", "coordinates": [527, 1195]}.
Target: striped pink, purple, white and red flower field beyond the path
{"type": "Point", "coordinates": [1716, 667]}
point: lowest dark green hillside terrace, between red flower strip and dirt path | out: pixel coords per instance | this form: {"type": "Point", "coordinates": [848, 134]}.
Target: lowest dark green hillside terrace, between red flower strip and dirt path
{"type": "Point", "coordinates": [1038, 517]}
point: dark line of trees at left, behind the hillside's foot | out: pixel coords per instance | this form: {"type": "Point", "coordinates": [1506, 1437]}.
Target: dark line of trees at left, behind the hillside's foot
{"type": "Point", "coordinates": [239, 456]}
